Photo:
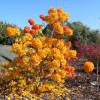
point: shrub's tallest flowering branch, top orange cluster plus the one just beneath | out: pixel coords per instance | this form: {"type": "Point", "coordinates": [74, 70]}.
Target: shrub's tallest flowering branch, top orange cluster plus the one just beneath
{"type": "Point", "coordinates": [56, 19]}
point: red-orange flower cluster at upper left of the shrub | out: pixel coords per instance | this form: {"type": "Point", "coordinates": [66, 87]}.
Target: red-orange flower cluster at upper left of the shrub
{"type": "Point", "coordinates": [35, 28]}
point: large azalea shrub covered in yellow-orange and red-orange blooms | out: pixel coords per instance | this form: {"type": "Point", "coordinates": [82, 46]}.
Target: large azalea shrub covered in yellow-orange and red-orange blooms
{"type": "Point", "coordinates": [41, 64]}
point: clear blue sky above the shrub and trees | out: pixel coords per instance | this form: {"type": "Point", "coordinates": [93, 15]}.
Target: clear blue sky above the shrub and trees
{"type": "Point", "coordinates": [18, 11]}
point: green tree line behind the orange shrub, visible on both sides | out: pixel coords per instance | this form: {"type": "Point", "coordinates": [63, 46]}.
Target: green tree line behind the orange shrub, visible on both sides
{"type": "Point", "coordinates": [81, 32]}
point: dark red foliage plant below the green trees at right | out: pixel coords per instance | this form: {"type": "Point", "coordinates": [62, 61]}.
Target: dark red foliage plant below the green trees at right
{"type": "Point", "coordinates": [89, 50]}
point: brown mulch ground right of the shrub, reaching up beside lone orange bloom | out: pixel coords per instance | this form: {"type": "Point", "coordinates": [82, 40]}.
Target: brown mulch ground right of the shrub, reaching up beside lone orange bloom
{"type": "Point", "coordinates": [83, 86]}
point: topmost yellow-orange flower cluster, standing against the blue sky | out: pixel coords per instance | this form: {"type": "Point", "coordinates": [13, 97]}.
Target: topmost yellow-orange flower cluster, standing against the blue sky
{"type": "Point", "coordinates": [55, 16]}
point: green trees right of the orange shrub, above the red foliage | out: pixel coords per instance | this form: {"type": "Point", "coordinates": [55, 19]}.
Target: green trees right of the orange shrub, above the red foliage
{"type": "Point", "coordinates": [84, 33]}
